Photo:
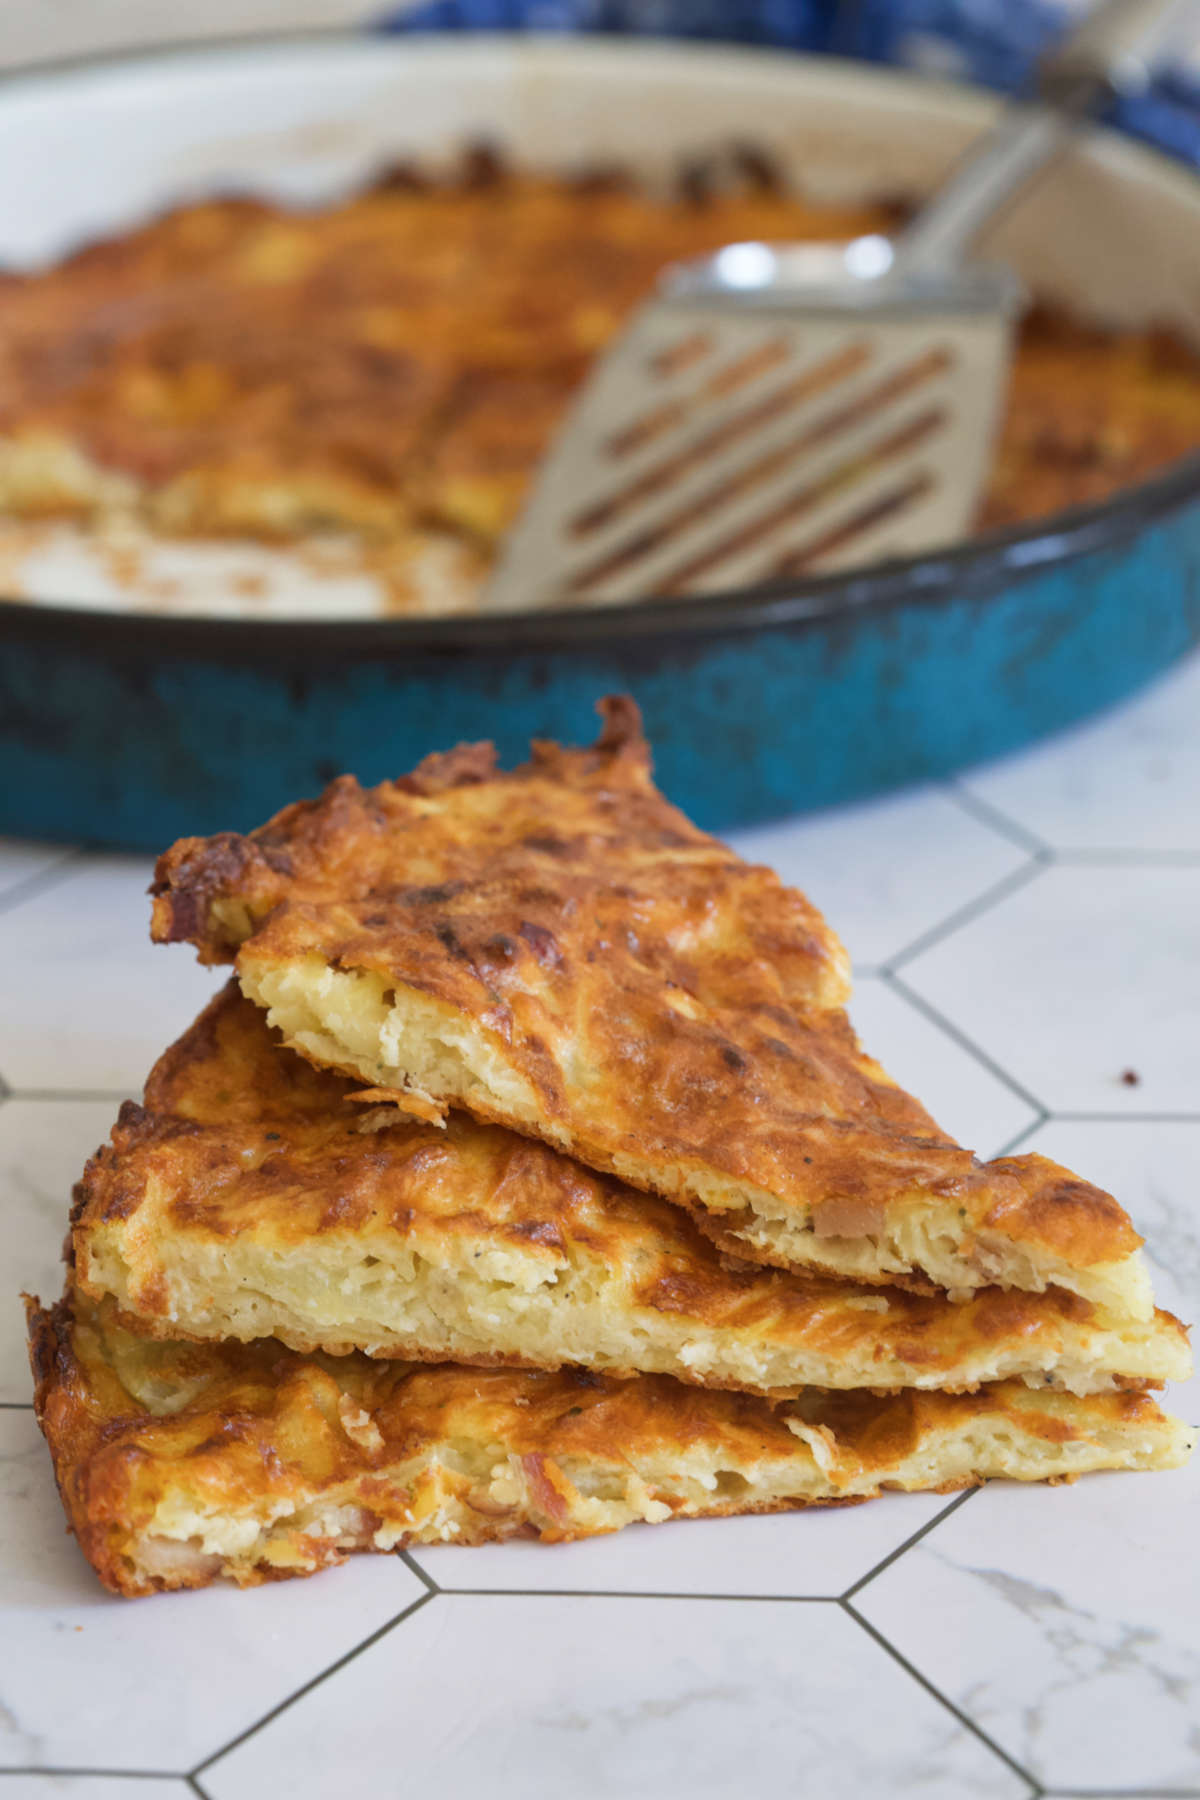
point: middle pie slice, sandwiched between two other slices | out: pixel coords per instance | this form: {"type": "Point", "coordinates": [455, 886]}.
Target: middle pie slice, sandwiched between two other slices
{"type": "Point", "coordinates": [251, 1196]}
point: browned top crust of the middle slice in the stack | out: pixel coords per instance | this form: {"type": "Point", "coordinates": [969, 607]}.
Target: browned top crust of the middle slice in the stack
{"type": "Point", "coordinates": [242, 1144]}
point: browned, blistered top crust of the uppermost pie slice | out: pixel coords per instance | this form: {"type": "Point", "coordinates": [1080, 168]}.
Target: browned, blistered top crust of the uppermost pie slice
{"type": "Point", "coordinates": [665, 1000]}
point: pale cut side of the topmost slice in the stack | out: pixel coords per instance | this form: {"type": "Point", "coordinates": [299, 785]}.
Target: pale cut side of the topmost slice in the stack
{"type": "Point", "coordinates": [397, 1038]}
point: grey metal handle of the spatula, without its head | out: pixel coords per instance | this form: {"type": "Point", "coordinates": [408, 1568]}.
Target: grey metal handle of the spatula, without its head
{"type": "Point", "coordinates": [1115, 49]}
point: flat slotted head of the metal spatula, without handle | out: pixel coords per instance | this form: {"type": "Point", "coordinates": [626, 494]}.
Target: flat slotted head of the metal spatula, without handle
{"type": "Point", "coordinates": [719, 447]}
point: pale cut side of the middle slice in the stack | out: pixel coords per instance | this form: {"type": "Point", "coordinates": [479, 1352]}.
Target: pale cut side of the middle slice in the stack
{"type": "Point", "coordinates": [390, 1299]}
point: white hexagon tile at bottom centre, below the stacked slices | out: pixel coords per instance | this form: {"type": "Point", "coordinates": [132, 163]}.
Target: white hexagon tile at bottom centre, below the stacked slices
{"type": "Point", "coordinates": [636, 1698]}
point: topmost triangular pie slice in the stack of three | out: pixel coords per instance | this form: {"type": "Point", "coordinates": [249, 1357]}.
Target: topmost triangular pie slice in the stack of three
{"type": "Point", "coordinates": [560, 951]}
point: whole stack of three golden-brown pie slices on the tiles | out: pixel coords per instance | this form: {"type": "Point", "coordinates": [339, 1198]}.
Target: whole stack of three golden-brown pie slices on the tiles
{"type": "Point", "coordinates": [530, 1180]}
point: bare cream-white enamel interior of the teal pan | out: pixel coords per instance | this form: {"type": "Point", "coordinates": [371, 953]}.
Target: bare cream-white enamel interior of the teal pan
{"type": "Point", "coordinates": [1115, 233]}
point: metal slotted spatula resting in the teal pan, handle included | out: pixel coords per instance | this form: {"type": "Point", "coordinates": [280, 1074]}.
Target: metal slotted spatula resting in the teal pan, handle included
{"type": "Point", "coordinates": [784, 409]}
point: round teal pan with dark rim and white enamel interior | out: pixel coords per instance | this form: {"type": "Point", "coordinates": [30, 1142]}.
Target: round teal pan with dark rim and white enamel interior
{"type": "Point", "coordinates": [132, 726]}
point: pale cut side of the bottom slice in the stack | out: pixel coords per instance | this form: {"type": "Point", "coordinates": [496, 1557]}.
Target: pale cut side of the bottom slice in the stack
{"type": "Point", "coordinates": [472, 1493]}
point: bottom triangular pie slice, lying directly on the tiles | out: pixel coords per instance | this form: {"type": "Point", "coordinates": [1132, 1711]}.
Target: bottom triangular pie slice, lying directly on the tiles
{"type": "Point", "coordinates": [184, 1464]}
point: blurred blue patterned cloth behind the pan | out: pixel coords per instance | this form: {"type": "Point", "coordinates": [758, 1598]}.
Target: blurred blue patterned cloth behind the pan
{"type": "Point", "coordinates": [994, 42]}
